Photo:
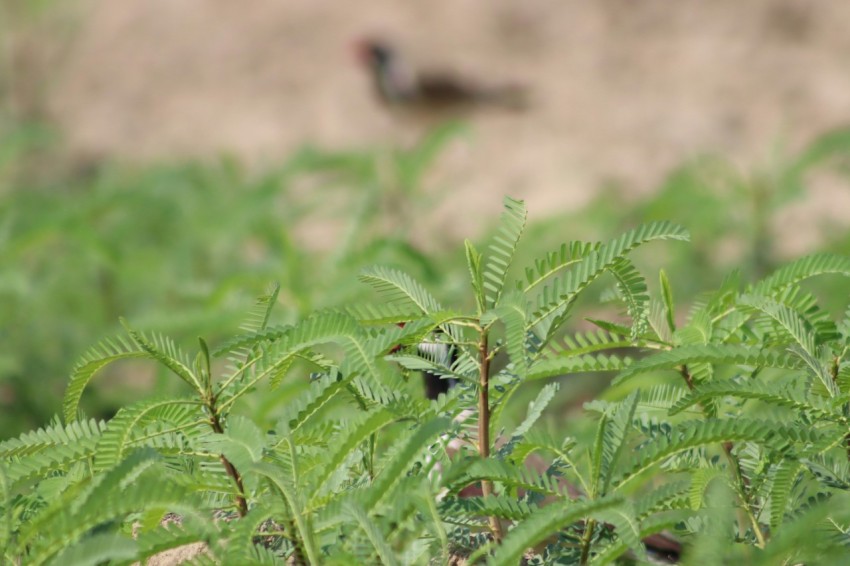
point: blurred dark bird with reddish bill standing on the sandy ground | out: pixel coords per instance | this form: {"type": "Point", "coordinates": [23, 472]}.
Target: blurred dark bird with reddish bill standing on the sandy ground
{"type": "Point", "coordinates": [398, 85]}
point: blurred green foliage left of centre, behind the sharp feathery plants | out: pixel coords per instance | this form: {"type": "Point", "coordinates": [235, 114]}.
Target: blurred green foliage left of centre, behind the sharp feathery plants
{"type": "Point", "coordinates": [178, 247]}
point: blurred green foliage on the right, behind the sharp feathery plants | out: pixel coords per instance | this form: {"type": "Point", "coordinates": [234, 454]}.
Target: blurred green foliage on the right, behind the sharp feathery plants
{"type": "Point", "coordinates": [736, 213]}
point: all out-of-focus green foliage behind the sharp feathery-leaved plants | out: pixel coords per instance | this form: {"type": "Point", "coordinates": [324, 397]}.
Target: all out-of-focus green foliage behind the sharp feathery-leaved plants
{"type": "Point", "coordinates": [75, 253]}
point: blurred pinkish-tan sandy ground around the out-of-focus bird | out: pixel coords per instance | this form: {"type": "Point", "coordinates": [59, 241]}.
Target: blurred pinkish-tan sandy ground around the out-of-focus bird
{"type": "Point", "coordinates": [622, 90]}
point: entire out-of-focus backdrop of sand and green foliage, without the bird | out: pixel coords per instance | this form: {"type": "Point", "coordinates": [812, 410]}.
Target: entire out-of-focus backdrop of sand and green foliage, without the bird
{"type": "Point", "coordinates": [166, 160]}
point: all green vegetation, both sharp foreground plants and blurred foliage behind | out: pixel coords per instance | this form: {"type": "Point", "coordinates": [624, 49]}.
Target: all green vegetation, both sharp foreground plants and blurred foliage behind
{"type": "Point", "coordinates": [720, 419]}
